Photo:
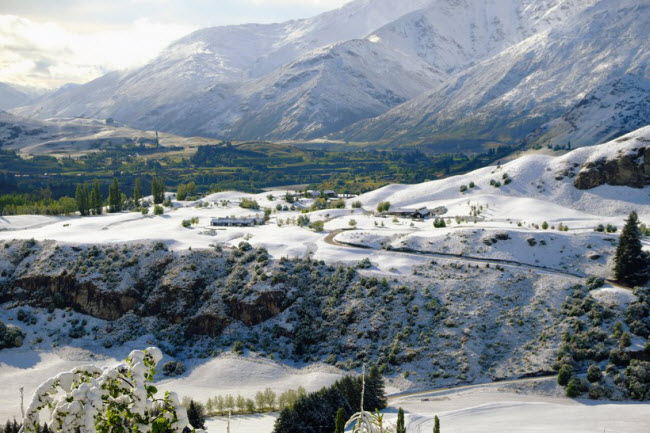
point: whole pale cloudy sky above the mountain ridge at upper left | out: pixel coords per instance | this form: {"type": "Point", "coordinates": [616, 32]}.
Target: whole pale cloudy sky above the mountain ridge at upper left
{"type": "Point", "coordinates": [48, 43]}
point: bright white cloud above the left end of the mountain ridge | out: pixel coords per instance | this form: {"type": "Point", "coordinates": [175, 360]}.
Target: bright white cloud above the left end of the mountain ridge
{"type": "Point", "coordinates": [48, 55]}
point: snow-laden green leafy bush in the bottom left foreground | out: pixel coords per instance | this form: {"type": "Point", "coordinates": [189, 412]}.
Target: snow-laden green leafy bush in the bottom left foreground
{"type": "Point", "coordinates": [117, 399]}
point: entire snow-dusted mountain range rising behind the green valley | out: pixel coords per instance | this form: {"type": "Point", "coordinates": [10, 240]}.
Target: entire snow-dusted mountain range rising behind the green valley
{"type": "Point", "coordinates": [438, 72]}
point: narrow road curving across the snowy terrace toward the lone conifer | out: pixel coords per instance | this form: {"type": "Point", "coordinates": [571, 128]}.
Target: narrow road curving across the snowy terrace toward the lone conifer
{"type": "Point", "coordinates": [331, 240]}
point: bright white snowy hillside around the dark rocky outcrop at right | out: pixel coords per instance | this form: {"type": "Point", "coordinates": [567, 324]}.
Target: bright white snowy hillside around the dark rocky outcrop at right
{"type": "Point", "coordinates": [540, 186]}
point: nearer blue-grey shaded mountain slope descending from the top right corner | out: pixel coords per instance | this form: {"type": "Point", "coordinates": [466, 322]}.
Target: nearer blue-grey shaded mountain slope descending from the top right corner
{"type": "Point", "coordinates": [529, 84]}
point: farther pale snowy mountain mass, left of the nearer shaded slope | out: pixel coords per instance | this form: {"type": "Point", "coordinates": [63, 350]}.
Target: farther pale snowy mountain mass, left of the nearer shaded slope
{"type": "Point", "coordinates": [308, 78]}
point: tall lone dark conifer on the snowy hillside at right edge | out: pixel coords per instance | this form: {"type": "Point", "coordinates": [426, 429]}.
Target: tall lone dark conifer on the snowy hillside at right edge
{"type": "Point", "coordinates": [631, 261]}
